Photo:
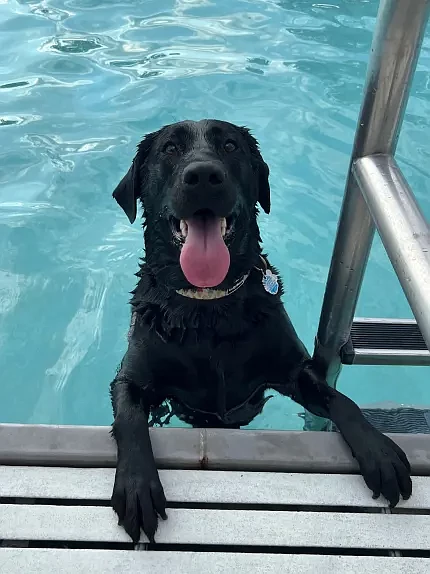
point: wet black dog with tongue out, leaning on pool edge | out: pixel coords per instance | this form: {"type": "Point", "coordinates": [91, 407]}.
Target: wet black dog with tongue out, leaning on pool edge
{"type": "Point", "coordinates": [209, 331]}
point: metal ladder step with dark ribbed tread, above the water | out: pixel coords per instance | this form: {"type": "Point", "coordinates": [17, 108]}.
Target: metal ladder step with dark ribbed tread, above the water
{"type": "Point", "coordinates": [385, 342]}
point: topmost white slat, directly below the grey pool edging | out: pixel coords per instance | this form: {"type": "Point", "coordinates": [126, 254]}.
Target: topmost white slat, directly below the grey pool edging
{"type": "Point", "coordinates": [210, 487]}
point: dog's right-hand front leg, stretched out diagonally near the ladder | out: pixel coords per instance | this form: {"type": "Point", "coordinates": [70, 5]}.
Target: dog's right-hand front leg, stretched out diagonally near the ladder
{"type": "Point", "coordinates": [383, 464]}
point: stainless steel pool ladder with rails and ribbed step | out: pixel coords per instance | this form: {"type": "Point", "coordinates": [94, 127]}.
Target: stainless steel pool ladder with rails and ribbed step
{"type": "Point", "coordinates": [377, 196]}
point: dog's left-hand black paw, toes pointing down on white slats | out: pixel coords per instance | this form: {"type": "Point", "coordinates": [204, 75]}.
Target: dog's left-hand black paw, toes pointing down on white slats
{"type": "Point", "coordinates": [138, 499]}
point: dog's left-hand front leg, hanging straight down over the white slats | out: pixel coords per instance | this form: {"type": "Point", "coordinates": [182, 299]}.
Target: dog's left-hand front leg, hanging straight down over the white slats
{"type": "Point", "coordinates": [138, 496]}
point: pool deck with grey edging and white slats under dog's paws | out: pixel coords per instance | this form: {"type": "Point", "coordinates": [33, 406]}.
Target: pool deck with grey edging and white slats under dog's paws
{"type": "Point", "coordinates": [261, 502]}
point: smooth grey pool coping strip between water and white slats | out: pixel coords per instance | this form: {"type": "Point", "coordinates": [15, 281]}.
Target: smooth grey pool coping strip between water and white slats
{"type": "Point", "coordinates": [215, 449]}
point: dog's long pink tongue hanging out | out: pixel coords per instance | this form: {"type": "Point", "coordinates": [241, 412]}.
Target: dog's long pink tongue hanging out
{"type": "Point", "coordinates": [205, 258]}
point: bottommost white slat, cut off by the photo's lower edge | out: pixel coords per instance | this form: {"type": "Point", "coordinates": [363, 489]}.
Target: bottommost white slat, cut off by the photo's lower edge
{"type": "Point", "coordinates": [19, 561]}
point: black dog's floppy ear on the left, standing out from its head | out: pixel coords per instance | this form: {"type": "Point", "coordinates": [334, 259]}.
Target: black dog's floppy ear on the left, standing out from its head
{"type": "Point", "coordinates": [128, 191]}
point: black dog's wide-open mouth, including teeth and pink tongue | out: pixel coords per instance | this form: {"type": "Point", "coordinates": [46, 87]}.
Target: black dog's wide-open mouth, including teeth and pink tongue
{"type": "Point", "coordinates": [205, 258]}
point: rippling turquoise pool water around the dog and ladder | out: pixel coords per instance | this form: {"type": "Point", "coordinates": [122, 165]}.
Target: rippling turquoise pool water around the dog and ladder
{"type": "Point", "coordinates": [81, 81]}
